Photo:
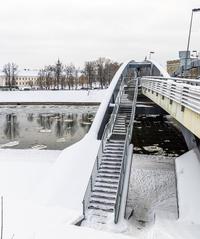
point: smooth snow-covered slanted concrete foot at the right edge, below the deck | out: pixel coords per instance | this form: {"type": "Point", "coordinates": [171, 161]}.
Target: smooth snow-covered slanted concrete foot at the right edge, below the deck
{"type": "Point", "coordinates": [188, 178]}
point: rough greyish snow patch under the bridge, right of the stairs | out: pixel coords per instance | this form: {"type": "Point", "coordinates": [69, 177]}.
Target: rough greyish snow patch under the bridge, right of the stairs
{"type": "Point", "coordinates": [152, 187]}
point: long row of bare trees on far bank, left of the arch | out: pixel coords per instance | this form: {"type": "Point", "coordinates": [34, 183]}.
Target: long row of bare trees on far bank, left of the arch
{"type": "Point", "coordinates": [97, 73]}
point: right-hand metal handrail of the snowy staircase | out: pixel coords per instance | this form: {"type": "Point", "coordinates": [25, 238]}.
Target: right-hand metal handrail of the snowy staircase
{"type": "Point", "coordinates": [125, 155]}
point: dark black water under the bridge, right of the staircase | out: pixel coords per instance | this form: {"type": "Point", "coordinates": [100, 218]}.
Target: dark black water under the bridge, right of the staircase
{"type": "Point", "coordinates": [157, 135]}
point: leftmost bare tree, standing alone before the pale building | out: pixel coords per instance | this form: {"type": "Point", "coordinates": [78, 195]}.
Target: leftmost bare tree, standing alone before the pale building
{"type": "Point", "coordinates": [10, 71]}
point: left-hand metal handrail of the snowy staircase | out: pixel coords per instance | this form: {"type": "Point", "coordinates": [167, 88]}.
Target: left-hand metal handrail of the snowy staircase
{"type": "Point", "coordinates": [106, 133]}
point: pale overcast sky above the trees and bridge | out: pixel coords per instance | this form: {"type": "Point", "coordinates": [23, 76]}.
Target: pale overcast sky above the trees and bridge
{"type": "Point", "coordinates": [35, 33]}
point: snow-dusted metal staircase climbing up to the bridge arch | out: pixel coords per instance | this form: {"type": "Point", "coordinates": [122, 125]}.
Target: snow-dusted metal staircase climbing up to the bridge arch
{"type": "Point", "coordinates": [103, 195]}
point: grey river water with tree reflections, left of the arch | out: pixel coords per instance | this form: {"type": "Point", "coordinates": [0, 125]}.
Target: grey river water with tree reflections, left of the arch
{"type": "Point", "coordinates": [54, 127]}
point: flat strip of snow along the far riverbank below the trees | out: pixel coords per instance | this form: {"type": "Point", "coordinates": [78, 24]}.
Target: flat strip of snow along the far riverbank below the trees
{"type": "Point", "coordinates": [56, 96]}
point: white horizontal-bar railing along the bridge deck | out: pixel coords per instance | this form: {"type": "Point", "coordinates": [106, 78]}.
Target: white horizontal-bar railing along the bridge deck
{"type": "Point", "coordinates": [185, 92]}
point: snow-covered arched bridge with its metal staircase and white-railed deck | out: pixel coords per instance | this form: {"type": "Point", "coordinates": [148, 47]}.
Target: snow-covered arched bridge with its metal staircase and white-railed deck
{"type": "Point", "coordinates": [94, 173]}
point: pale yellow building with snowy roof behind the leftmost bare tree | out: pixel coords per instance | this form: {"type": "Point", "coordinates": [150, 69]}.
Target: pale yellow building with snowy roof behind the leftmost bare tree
{"type": "Point", "coordinates": [24, 78]}
